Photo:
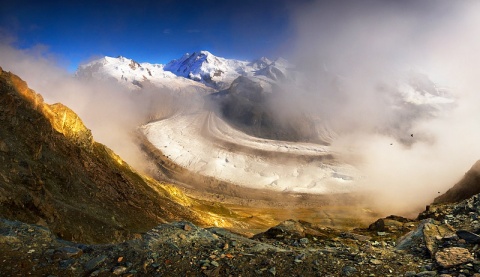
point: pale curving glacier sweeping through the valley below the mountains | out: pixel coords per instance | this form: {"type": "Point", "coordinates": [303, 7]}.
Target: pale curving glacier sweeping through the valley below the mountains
{"type": "Point", "coordinates": [205, 144]}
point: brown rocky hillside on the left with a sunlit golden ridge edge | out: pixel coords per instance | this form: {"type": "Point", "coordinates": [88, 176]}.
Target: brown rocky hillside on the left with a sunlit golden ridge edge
{"type": "Point", "coordinates": [54, 174]}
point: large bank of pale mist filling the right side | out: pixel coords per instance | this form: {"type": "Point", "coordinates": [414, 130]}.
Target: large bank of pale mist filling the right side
{"type": "Point", "coordinates": [373, 45]}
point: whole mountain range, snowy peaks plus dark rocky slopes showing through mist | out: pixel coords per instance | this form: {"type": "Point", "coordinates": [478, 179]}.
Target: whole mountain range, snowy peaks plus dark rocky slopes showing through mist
{"type": "Point", "coordinates": [244, 92]}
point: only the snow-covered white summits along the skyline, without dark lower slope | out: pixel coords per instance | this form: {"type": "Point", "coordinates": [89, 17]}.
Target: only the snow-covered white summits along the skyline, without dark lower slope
{"type": "Point", "coordinates": [201, 70]}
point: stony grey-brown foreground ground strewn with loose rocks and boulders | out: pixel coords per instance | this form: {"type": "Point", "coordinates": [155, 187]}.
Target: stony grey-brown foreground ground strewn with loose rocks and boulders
{"type": "Point", "coordinates": [441, 242]}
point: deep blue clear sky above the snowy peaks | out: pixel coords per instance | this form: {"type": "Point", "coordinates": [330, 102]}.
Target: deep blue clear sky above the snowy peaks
{"type": "Point", "coordinates": [153, 31]}
